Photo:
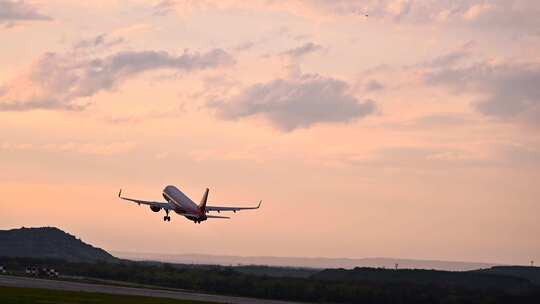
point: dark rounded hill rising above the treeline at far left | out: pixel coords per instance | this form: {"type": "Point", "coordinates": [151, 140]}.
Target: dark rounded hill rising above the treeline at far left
{"type": "Point", "coordinates": [49, 242]}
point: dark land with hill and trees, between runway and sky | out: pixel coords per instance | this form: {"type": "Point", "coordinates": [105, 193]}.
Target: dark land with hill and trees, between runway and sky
{"type": "Point", "coordinates": [72, 257]}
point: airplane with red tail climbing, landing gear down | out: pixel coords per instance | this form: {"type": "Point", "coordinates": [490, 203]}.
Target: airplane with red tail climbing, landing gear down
{"type": "Point", "coordinates": [178, 202]}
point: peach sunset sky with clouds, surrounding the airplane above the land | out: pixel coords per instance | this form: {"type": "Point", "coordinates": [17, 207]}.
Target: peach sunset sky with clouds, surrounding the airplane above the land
{"type": "Point", "coordinates": [377, 128]}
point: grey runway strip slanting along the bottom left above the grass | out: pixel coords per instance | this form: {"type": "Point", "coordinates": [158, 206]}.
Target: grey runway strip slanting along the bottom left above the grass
{"type": "Point", "coordinates": [13, 281]}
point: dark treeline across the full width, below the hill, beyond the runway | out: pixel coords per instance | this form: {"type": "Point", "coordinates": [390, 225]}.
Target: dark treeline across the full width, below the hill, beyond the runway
{"type": "Point", "coordinates": [362, 286]}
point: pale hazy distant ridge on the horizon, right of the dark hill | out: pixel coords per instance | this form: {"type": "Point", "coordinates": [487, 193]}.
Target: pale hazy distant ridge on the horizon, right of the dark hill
{"type": "Point", "coordinates": [322, 263]}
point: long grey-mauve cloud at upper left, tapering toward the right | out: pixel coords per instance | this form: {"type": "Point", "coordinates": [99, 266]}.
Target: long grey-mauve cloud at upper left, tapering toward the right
{"type": "Point", "coordinates": [58, 81]}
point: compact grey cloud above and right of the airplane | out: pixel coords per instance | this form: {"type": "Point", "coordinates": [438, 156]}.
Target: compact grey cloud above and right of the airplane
{"type": "Point", "coordinates": [289, 104]}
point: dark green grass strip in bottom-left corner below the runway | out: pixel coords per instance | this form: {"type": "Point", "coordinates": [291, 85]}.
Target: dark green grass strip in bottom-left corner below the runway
{"type": "Point", "coordinates": [10, 295]}
